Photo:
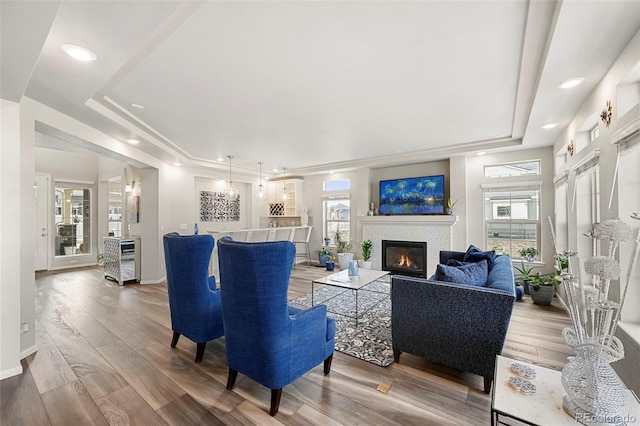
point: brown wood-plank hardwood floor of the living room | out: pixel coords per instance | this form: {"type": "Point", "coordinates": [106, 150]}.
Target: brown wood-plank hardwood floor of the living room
{"type": "Point", "coordinates": [104, 358]}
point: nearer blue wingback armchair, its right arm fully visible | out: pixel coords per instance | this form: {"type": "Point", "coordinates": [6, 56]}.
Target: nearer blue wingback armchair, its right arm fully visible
{"type": "Point", "coordinates": [267, 340]}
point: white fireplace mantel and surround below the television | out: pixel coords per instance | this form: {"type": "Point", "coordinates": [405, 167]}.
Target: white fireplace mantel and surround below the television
{"type": "Point", "coordinates": [436, 230]}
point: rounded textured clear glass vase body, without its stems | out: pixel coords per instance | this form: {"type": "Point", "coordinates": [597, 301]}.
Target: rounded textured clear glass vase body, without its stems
{"type": "Point", "coordinates": [594, 392]}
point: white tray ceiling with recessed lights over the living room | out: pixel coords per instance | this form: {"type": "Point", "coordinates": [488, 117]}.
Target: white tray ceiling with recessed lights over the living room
{"type": "Point", "coordinates": [314, 86]}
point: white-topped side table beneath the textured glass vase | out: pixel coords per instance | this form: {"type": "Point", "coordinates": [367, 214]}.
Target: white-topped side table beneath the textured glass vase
{"type": "Point", "coordinates": [544, 407]}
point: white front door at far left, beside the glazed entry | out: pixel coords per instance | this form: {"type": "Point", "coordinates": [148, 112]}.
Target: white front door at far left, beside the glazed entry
{"type": "Point", "coordinates": [41, 208]}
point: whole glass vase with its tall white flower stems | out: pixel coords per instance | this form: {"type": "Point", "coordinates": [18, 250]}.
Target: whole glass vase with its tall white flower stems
{"type": "Point", "coordinates": [592, 387]}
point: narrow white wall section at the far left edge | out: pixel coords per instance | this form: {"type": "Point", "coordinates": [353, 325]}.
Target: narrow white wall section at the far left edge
{"type": "Point", "coordinates": [10, 218]}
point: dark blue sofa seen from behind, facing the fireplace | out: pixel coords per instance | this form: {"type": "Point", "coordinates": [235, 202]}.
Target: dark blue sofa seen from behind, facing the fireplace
{"type": "Point", "coordinates": [456, 325]}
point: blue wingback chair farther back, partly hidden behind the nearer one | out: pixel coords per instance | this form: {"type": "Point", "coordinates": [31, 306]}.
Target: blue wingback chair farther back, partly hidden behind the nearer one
{"type": "Point", "coordinates": [194, 301]}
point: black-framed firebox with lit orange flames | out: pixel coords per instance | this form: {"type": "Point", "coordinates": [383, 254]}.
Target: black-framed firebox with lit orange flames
{"type": "Point", "coordinates": [405, 257]}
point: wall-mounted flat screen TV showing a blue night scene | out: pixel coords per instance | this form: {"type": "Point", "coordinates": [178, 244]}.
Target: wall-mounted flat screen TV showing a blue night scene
{"type": "Point", "coordinates": [419, 195]}
